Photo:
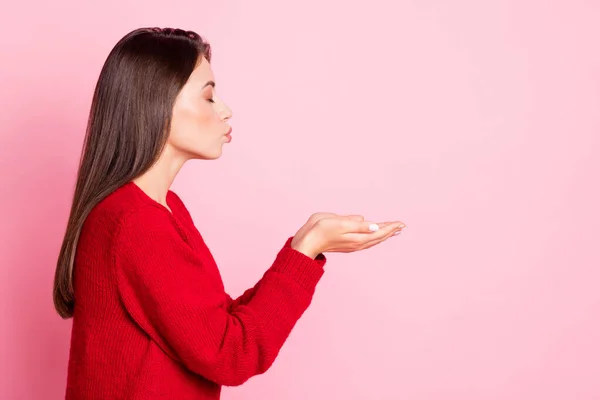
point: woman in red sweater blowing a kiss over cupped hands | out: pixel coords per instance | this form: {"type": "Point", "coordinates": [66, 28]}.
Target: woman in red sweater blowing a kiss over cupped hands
{"type": "Point", "coordinates": [151, 319]}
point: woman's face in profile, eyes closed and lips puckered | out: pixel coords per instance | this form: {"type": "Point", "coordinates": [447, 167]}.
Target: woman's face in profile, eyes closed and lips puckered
{"type": "Point", "coordinates": [199, 126]}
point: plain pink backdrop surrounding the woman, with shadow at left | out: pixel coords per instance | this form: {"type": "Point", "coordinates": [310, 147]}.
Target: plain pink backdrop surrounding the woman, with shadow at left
{"type": "Point", "coordinates": [475, 122]}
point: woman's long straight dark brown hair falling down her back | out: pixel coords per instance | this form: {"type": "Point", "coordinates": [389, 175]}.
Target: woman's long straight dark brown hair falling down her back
{"type": "Point", "coordinates": [127, 127]}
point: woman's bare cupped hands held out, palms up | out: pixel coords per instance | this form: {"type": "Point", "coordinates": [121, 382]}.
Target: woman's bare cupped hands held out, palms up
{"type": "Point", "coordinates": [343, 234]}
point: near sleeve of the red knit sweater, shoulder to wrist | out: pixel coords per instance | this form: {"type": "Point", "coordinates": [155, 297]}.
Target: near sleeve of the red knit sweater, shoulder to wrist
{"type": "Point", "coordinates": [173, 297]}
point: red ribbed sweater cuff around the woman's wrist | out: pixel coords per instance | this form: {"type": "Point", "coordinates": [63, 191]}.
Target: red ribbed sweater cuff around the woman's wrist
{"type": "Point", "coordinates": [300, 267]}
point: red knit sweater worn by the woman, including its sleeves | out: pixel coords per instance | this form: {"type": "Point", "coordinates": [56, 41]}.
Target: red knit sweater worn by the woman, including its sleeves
{"type": "Point", "coordinates": [152, 319]}
